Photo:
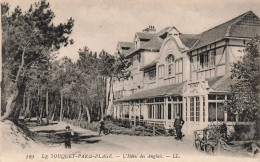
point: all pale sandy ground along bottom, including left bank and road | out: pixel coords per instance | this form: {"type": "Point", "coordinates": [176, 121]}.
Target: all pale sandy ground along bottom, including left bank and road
{"type": "Point", "coordinates": [88, 146]}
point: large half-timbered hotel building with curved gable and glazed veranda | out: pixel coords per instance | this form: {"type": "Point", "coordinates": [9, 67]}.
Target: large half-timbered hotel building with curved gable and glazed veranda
{"type": "Point", "coordinates": [174, 73]}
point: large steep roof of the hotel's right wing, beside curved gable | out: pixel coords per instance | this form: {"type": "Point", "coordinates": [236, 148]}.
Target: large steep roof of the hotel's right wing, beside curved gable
{"type": "Point", "coordinates": [243, 26]}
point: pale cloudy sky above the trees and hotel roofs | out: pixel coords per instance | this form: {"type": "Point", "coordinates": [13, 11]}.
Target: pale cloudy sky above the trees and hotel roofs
{"type": "Point", "coordinates": [100, 24]}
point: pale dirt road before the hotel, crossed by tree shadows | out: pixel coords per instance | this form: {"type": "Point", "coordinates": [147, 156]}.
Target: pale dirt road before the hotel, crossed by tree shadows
{"type": "Point", "coordinates": [89, 141]}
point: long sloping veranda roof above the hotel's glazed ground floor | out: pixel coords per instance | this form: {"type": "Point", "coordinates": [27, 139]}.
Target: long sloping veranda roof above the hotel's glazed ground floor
{"type": "Point", "coordinates": [169, 90]}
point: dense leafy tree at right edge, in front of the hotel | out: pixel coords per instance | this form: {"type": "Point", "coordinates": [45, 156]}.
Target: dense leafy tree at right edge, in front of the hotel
{"type": "Point", "coordinates": [246, 92]}
